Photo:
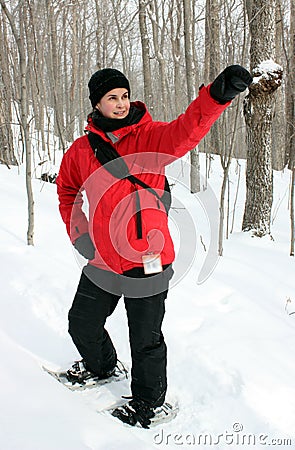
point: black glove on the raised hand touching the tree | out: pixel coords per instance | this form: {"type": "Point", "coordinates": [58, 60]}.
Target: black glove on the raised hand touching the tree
{"type": "Point", "coordinates": [231, 82]}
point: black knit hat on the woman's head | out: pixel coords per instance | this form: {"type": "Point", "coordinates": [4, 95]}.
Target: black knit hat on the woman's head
{"type": "Point", "coordinates": [104, 81]}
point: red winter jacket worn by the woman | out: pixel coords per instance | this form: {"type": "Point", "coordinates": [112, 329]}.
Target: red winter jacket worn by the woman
{"type": "Point", "coordinates": [147, 147]}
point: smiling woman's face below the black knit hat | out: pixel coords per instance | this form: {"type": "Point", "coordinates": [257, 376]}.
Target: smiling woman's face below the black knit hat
{"type": "Point", "coordinates": [115, 104]}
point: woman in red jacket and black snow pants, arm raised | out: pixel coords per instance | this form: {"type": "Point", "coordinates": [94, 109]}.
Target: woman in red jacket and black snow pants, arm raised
{"type": "Point", "coordinates": [125, 236]}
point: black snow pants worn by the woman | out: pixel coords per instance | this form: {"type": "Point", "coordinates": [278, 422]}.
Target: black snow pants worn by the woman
{"type": "Point", "coordinates": [87, 317]}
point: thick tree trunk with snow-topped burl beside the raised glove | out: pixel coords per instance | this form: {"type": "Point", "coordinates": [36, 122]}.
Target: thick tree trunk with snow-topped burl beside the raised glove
{"type": "Point", "coordinates": [258, 111]}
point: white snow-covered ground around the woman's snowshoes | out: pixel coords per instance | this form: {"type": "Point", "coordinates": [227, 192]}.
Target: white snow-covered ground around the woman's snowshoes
{"type": "Point", "coordinates": [231, 339]}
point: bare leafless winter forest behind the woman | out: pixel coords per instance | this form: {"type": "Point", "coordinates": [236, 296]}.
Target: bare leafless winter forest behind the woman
{"type": "Point", "coordinates": [167, 49]}
